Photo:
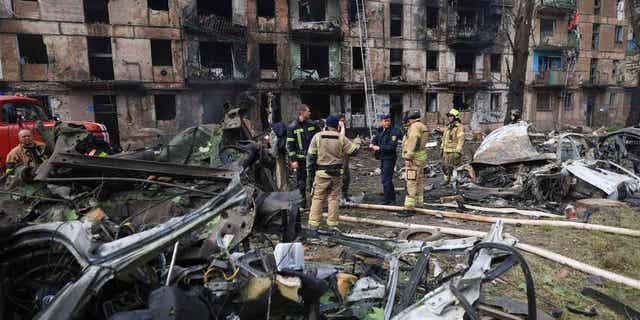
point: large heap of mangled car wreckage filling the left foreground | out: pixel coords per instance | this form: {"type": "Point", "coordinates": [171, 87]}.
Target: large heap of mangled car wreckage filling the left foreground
{"type": "Point", "coordinates": [195, 230]}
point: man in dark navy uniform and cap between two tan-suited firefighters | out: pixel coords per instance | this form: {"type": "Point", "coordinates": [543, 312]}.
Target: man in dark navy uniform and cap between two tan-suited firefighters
{"type": "Point", "coordinates": [384, 144]}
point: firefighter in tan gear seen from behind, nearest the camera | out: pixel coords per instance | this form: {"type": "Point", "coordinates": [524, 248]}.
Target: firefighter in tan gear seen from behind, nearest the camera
{"type": "Point", "coordinates": [327, 152]}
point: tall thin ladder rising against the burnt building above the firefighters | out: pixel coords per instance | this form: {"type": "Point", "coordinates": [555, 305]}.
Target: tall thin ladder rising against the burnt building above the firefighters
{"type": "Point", "coordinates": [369, 91]}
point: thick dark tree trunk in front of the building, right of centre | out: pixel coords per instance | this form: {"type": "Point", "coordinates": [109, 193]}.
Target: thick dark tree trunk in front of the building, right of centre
{"type": "Point", "coordinates": [522, 24]}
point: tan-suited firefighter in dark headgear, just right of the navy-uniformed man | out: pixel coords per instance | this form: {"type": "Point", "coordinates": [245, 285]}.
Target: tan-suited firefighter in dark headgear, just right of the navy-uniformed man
{"type": "Point", "coordinates": [414, 154]}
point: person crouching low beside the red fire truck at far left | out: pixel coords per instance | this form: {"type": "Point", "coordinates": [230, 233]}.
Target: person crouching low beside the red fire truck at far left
{"type": "Point", "coordinates": [29, 153]}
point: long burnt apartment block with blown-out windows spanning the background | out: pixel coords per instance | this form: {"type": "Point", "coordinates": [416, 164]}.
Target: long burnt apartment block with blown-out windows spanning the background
{"type": "Point", "coordinates": [151, 67]}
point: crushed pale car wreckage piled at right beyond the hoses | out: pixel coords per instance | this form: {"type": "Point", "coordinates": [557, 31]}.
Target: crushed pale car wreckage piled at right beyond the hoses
{"type": "Point", "coordinates": [532, 169]}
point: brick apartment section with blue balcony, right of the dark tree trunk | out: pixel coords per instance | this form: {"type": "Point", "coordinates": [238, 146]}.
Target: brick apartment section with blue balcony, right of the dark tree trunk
{"type": "Point", "coordinates": [583, 65]}
